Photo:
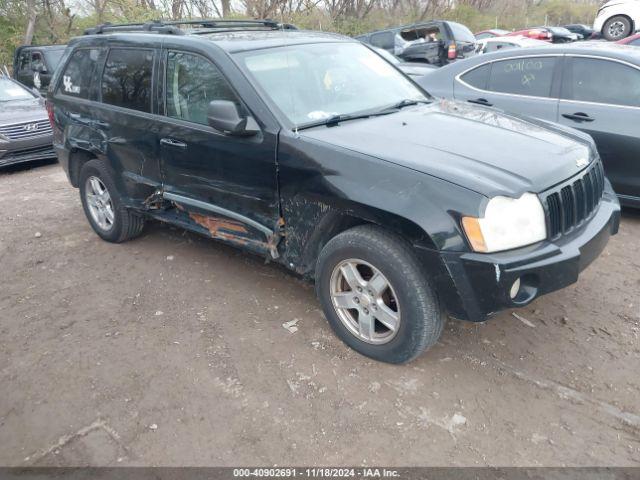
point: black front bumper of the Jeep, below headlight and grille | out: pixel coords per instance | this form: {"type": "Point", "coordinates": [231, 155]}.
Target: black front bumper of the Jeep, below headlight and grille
{"type": "Point", "coordinates": [479, 284]}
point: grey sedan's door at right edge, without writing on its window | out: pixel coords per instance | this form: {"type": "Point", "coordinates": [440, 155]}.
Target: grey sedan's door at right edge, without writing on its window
{"type": "Point", "coordinates": [602, 98]}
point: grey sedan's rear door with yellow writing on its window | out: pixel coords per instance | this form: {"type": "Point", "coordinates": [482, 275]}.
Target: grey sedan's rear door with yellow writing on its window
{"type": "Point", "coordinates": [523, 85]}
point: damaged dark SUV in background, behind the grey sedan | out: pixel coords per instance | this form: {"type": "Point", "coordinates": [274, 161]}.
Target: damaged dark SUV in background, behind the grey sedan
{"type": "Point", "coordinates": [435, 42]}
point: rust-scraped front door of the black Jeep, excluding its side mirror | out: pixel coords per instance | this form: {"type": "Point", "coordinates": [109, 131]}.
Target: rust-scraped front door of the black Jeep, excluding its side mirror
{"type": "Point", "coordinates": [226, 184]}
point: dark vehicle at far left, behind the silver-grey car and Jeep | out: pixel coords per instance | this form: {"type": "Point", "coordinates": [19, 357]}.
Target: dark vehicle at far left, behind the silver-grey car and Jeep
{"type": "Point", "coordinates": [33, 66]}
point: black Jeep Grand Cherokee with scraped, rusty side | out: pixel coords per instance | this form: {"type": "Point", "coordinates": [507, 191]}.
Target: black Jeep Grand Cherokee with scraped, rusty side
{"type": "Point", "coordinates": [312, 150]}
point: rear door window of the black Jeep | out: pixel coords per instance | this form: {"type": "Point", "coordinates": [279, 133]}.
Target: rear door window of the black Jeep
{"type": "Point", "coordinates": [126, 81]}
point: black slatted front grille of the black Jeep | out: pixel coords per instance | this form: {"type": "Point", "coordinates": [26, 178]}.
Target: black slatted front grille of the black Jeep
{"type": "Point", "coordinates": [571, 203]}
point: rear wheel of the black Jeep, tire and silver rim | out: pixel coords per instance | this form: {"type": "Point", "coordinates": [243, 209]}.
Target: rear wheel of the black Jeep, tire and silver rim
{"type": "Point", "coordinates": [103, 207]}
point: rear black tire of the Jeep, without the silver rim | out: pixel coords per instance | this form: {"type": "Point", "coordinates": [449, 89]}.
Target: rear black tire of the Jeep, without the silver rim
{"type": "Point", "coordinates": [126, 224]}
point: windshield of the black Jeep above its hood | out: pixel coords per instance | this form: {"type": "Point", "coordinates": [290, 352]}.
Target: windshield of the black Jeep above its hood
{"type": "Point", "coordinates": [308, 83]}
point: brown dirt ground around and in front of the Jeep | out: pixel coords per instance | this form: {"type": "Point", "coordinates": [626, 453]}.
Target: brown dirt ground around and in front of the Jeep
{"type": "Point", "coordinates": [170, 350]}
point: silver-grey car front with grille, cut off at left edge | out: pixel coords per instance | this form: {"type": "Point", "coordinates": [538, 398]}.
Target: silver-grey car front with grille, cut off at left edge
{"type": "Point", "coordinates": [25, 131]}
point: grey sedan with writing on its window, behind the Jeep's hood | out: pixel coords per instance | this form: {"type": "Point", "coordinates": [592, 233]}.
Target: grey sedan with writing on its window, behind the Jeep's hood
{"type": "Point", "coordinates": [590, 86]}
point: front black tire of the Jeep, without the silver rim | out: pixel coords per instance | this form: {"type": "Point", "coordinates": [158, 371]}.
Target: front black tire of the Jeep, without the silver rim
{"type": "Point", "coordinates": [422, 319]}
